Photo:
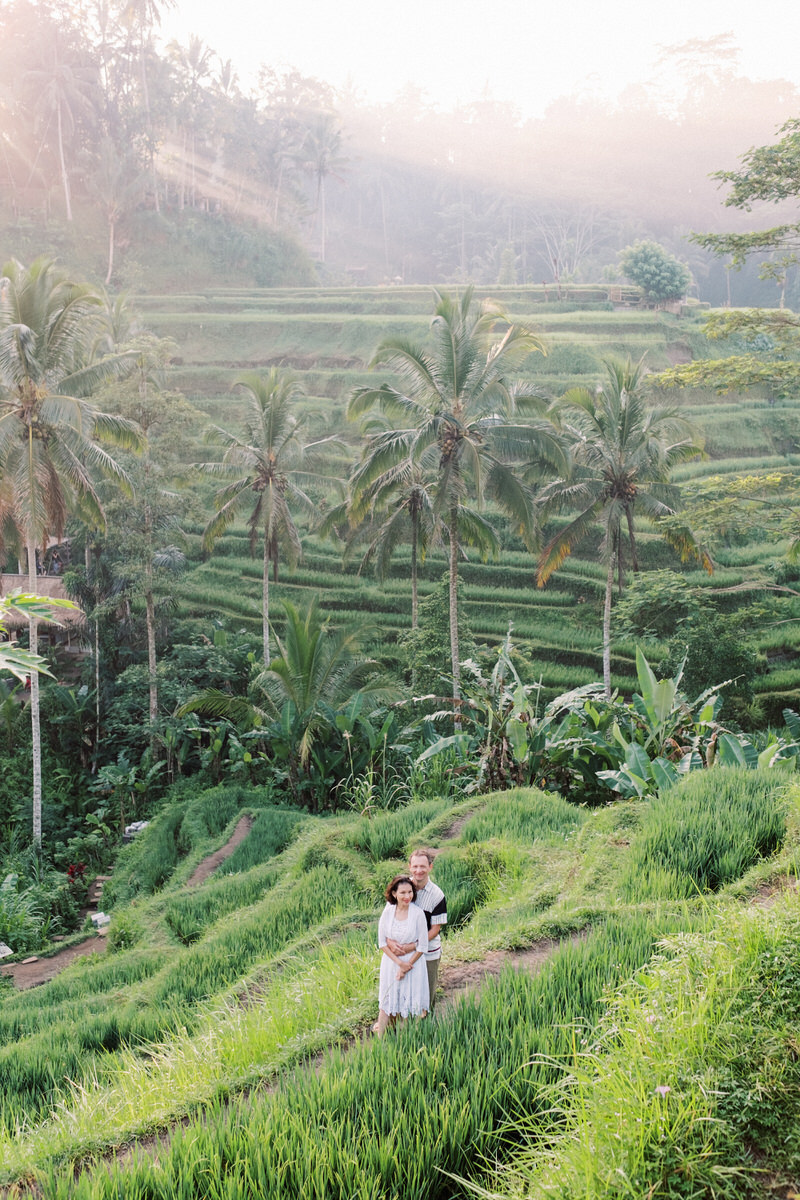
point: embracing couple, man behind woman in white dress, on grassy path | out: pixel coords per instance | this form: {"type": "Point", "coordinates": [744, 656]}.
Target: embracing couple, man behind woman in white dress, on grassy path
{"type": "Point", "coordinates": [410, 938]}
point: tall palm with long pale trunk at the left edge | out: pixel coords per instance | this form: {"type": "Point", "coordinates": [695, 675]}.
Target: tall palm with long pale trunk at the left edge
{"type": "Point", "coordinates": [50, 433]}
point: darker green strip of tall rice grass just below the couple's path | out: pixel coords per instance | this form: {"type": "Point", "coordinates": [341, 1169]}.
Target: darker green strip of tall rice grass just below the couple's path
{"type": "Point", "coordinates": [356, 1129]}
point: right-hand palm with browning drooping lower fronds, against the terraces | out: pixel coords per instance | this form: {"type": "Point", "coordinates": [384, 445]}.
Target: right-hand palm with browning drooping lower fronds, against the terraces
{"type": "Point", "coordinates": [624, 448]}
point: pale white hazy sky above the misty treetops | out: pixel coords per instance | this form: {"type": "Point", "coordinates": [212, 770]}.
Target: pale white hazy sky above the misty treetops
{"type": "Point", "coordinates": [520, 51]}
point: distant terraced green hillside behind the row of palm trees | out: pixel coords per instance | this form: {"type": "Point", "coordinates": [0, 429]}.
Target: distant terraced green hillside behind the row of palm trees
{"type": "Point", "coordinates": [328, 339]}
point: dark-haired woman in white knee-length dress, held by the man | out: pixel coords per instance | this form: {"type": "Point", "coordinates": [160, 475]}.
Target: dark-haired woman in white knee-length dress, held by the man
{"type": "Point", "coordinates": [404, 976]}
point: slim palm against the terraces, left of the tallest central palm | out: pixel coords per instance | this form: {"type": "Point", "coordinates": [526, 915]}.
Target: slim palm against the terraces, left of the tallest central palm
{"type": "Point", "coordinates": [269, 469]}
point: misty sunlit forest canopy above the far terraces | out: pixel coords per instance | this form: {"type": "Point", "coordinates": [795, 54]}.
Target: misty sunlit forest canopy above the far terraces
{"type": "Point", "coordinates": [105, 127]}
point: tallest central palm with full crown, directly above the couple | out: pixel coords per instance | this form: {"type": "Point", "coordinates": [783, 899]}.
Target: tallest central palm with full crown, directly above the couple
{"type": "Point", "coordinates": [466, 423]}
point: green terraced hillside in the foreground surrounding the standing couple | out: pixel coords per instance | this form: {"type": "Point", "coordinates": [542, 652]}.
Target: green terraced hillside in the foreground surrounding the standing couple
{"type": "Point", "coordinates": [195, 1055]}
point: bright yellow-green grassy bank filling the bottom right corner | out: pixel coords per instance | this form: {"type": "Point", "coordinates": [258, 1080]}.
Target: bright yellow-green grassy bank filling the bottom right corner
{"type": "Point", "coordinates": [690, 1087]}
